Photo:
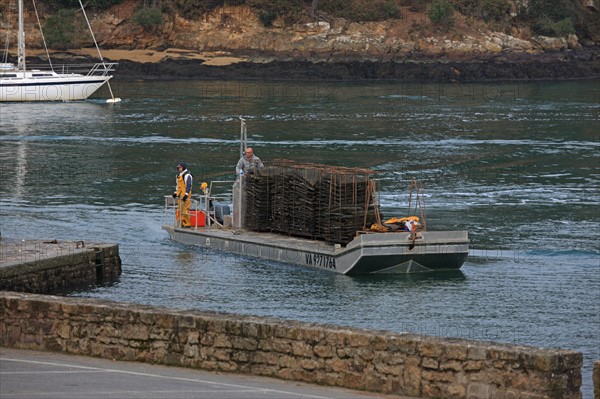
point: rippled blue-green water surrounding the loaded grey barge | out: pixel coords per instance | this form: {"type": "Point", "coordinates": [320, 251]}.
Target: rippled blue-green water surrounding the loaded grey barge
{"type": "Point", "coordinates": [514, 164]}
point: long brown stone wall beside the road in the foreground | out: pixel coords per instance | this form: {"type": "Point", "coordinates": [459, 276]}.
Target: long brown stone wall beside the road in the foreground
{"type": "Point", "coordinates": [377, 361]}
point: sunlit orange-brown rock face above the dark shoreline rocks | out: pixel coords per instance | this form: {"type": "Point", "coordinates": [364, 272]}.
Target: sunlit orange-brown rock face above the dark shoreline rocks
{"type": "Point", "coordinates": [238, 30]}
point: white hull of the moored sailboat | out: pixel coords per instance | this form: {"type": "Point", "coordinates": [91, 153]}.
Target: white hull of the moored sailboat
{"type": "Point", "coordinates": [50, 89]}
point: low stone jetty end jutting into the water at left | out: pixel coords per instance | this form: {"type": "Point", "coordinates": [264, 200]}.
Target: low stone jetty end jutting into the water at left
{"type": "Point", "coordinates": [45, 267]}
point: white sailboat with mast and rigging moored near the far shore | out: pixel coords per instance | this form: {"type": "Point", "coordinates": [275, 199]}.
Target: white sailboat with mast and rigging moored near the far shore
{"type": "Point", "coordinates": [19, 84]}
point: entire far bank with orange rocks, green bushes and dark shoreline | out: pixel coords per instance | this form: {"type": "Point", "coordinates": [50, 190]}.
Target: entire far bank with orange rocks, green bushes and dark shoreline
{"type": "Point", "coordinates": [404, 40]}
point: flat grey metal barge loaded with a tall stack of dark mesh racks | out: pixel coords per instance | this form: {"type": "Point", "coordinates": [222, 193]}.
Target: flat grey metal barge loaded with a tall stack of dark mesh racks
{"type": "Point", "coordinates": [314, 216]}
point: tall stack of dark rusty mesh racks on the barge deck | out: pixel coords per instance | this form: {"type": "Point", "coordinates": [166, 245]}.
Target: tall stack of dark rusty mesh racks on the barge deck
{"type": "Point", "coordinates": [309, 200]}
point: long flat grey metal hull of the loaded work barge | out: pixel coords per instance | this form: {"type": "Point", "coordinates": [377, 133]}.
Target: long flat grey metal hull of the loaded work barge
{"type": "Point", "coordinates": [371, 253]}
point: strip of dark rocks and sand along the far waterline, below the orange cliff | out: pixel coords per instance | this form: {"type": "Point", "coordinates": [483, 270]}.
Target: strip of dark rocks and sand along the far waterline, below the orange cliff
{"type": "Point", "coordinates": [572, 64]}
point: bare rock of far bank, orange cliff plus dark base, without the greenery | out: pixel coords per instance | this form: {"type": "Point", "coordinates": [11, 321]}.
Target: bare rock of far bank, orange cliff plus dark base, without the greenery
{"type": "Point", "coordinates": [231, 42]}
